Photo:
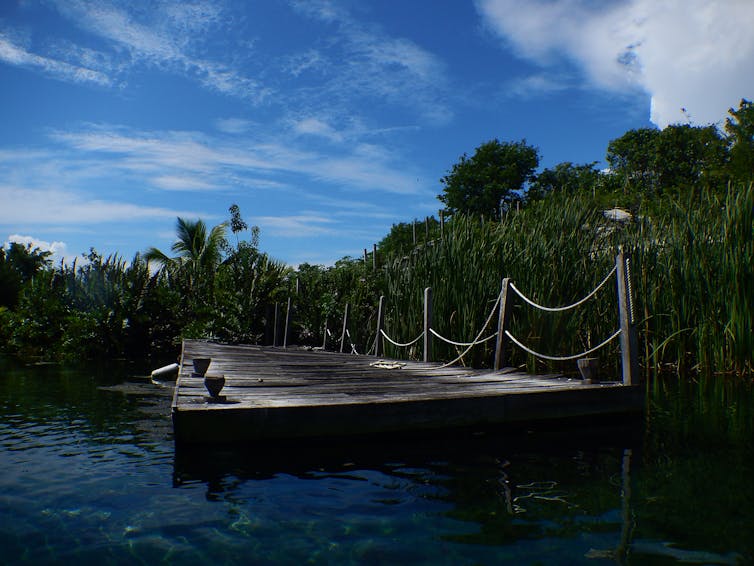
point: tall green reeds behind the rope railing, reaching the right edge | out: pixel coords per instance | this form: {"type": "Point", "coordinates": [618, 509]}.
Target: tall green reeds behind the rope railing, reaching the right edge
{"type": "Point", "coordinates": [692, 270]}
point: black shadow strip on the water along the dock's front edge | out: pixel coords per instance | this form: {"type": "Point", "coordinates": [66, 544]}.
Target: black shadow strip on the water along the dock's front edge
{"type": "Point", "coordinates": [384, 452]}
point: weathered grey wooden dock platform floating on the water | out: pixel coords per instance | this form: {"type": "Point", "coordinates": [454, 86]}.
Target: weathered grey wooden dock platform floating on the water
{"type": "Point", "coordinates": [291, 393]}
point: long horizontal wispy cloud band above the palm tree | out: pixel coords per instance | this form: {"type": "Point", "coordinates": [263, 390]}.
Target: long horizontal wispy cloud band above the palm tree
{"type": "Point", "coordinates": [165, 159]}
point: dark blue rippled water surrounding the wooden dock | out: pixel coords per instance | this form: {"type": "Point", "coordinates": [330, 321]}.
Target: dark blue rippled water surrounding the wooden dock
{"type": "Point", "coordinates": [89, 474]}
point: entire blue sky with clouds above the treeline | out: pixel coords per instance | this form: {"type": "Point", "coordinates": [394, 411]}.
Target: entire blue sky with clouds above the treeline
{"type": "Point", "coordinates": [325, 121]}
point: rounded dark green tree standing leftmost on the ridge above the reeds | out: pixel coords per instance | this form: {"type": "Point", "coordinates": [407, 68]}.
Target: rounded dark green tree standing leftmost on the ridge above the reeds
{"type": "Point", "coordinates": [488, 182]}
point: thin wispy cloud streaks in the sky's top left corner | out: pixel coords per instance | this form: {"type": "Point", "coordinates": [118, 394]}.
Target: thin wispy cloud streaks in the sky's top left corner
{"type": "Point", "coordinates": [170, 36]}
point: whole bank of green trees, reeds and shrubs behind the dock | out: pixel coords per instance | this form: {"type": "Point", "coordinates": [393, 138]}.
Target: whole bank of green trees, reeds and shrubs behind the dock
{"type": "Point", "coordinates": [679, 201]}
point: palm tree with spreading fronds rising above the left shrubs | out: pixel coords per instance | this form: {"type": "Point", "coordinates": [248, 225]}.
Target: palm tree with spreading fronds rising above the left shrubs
{"type": "Point", "coordinates": [198, 252]}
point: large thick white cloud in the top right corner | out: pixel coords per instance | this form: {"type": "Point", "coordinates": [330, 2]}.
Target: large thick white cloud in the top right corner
{"type": "Point", "coordinates": [693, 54]}
